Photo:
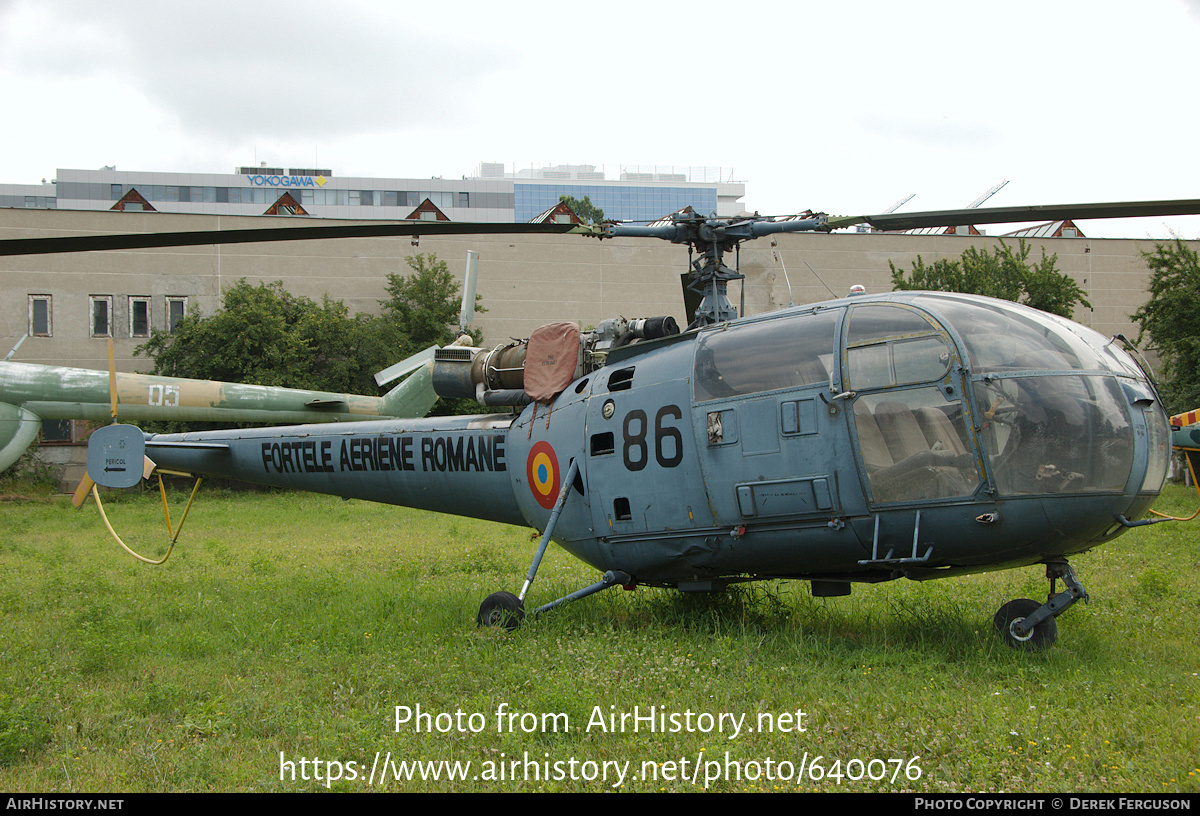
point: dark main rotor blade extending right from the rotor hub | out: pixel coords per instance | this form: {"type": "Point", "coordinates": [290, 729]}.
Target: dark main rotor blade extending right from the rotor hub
{"type": "Point", "coordinates": [995, 215]}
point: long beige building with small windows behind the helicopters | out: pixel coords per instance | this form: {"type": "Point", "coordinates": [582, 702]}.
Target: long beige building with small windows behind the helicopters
{"type": "Point", "coordinates": [71, 304]}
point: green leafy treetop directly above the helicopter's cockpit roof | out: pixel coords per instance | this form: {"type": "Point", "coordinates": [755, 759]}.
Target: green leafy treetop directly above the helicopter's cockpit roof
{"type": "Point", "coordinates": [1004, 274]}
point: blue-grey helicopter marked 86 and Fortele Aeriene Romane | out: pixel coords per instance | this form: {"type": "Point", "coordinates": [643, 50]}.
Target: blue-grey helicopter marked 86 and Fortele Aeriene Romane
{"type": "Point", "coordinates": [861, 440]}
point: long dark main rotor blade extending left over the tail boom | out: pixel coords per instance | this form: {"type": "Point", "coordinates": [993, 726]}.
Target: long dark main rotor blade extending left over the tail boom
{"type": "Point", "coordinates": [20, 247]}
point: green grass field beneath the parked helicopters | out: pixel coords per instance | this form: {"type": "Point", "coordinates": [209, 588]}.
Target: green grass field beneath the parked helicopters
{"type": "Point", "coordinates": [277, 646]}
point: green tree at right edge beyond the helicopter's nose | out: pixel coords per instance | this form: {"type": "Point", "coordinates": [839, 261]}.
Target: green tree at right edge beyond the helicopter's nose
{"type": "Point", "coordinates": [1169, 320]}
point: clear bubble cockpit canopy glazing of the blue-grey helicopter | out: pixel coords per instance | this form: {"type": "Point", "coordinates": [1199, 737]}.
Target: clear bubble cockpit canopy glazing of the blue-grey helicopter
{"type": "Point", "coordinates": [950, 393]}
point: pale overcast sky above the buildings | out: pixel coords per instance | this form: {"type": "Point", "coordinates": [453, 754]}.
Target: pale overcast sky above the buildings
{"type": "Point", "coordinates": [837, 107]}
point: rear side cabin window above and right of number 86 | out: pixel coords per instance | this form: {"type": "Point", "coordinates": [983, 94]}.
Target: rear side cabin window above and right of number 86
{"type": "Point", "coordinates": [763, 357]}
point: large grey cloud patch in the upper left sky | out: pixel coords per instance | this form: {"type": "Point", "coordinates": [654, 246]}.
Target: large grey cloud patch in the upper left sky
{"type": "Point", "coordinates": [236, 71]}
